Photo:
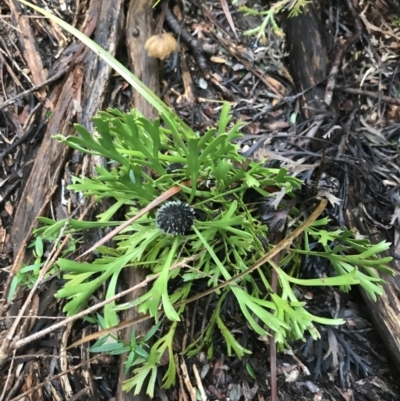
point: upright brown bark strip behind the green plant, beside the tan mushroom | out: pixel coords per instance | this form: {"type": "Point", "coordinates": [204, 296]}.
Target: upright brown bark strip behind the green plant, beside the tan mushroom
{"type": "Point", "coordinates": [139, 27]}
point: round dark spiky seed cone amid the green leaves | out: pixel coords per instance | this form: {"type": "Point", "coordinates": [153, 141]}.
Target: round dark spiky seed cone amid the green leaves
{"type": "Point", "coordinates": [175, 218]}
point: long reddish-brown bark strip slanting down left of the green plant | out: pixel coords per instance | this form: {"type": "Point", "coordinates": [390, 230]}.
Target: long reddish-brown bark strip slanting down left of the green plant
{"type": "Point", "coordinates": [44, 174]}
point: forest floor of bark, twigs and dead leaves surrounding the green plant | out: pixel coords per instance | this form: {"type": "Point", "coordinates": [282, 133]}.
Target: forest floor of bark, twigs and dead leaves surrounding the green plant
{"type": "Point", "coordinates": [280, 95]}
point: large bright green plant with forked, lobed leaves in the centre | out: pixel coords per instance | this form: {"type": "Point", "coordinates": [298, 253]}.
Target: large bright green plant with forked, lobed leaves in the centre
{"type": "Point", "coordinates": [227, 234]}
